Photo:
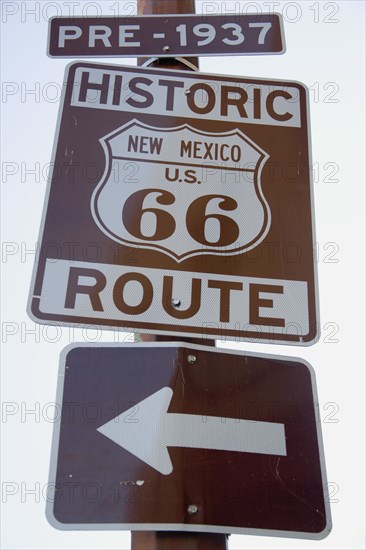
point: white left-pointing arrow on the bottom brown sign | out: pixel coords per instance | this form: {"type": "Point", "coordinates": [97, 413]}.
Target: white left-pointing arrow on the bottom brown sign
{"type": "Point", "coordinates": [147, 430]}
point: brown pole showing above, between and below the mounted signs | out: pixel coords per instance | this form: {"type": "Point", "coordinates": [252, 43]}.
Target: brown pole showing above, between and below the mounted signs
{"type": "Point", "coordinates": [165, 540]}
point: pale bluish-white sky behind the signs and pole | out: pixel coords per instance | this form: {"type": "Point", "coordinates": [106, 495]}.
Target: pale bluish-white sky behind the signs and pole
{"type": "Point", "coordinates": [325, 44]}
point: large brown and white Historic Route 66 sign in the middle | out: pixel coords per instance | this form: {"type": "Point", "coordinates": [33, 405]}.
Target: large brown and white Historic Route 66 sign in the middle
{"type": "Point", "coordinates": [180, 203]}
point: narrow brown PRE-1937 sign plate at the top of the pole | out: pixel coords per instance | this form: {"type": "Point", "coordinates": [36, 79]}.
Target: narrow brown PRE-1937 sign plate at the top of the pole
{"type": "Point", "coordinates": [166, 35]}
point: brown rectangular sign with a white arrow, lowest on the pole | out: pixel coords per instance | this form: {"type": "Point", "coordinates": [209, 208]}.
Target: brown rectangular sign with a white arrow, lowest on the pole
{"type": "Point", "coordinates": [188, 438]}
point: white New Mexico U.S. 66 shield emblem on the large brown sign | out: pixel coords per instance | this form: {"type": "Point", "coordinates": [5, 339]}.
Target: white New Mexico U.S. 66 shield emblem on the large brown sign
{"type": "Point", "coordinates": [134, 215]}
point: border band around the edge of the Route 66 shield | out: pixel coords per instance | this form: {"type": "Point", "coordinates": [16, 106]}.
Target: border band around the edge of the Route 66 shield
{"type": "Point", "coordinates": [214, 250]}
